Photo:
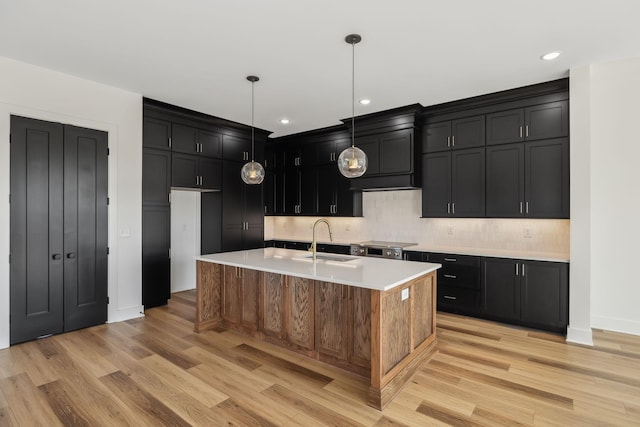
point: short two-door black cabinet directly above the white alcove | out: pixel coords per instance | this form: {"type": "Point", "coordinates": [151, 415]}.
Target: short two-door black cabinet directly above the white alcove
{"type": "Point", "coordinates": [190, 171]}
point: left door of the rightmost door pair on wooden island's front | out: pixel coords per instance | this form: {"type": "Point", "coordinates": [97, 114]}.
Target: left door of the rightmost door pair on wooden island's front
{"type": "Point", "coordinates": [331, 319]}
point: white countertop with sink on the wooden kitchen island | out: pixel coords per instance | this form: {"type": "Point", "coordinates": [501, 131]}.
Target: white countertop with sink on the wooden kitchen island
{"type": "Point", "coordinates": [363, 272]}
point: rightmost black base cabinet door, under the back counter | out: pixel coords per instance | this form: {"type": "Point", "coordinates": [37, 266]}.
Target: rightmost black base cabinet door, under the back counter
{"type": "Point", "coordinates": [545, 293]}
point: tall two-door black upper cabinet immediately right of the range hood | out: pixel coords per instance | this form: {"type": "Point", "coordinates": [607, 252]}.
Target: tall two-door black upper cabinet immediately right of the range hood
{"type": "Point", "coordinates": [453, 183]}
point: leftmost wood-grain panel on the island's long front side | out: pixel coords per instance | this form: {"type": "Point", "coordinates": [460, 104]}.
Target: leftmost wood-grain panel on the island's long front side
{"type": "Point", "coordinates": [208, 289]}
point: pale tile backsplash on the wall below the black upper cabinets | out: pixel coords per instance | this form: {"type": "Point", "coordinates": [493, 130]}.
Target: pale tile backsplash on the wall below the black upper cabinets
{"type": "Point", "coordinates": [395, 216]}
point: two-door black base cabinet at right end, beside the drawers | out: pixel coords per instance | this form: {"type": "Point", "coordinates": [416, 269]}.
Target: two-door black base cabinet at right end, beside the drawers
{"type": "Point", "coordinates": [532, 293]}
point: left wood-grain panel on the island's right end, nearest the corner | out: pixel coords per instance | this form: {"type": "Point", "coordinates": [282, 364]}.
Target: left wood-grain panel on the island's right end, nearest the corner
{"type": "Point", "coordinates": [396, 329]}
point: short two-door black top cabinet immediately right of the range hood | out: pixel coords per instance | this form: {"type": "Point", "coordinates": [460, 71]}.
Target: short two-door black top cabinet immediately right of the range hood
{"type": "Point", "coordinates": [461, 133]}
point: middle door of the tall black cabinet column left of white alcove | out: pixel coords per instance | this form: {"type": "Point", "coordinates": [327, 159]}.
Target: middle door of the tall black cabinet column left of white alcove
{"type": "Point", "coordinates": [156, 177]}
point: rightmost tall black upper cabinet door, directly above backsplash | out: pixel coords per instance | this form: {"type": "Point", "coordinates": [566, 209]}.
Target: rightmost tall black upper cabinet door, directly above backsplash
{"type": "Point", "coordinates": [547, 178]}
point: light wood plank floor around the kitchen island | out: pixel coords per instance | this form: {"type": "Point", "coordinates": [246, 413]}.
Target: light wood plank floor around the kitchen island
{"type": "Point", "coordinates": [157, 371]}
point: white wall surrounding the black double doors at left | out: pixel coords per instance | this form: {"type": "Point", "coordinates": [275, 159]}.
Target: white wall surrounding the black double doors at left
{"type": "Point", "coordinates": [44, 94]}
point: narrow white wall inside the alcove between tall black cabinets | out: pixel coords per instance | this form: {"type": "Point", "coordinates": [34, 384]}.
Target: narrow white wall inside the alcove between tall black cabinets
{"type": "Point", "coordinates": [185, 239]}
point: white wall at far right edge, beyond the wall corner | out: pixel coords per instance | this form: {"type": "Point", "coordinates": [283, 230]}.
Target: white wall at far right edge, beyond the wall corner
{"type": "Point", "coordinates": [615, 205]}
